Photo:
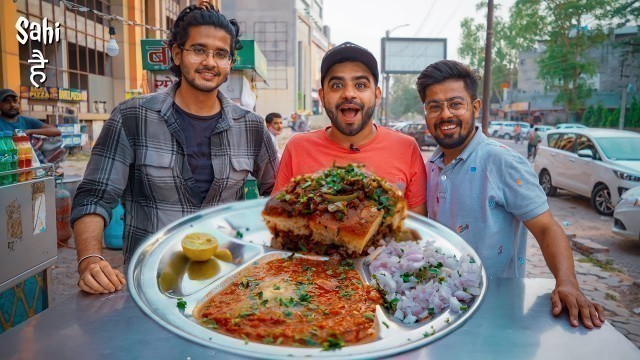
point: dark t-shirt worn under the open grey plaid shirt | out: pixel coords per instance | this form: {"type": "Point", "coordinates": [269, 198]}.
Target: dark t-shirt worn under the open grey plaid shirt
{"type": "Point", "coordinates": [197, 132]}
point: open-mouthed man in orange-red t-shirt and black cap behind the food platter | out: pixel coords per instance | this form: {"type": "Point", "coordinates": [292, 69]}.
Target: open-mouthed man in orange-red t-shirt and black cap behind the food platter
{"type": "Point", "coordinates": [349, 94]}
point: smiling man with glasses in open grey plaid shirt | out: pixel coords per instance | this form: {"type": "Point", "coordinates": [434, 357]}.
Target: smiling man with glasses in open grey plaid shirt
{"type": "Point", "coordinates": [170, 154]}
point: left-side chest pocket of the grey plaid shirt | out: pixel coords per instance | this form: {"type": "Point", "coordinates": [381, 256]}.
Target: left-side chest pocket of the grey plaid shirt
{"type": "Point", "coordinates": [159, 179]}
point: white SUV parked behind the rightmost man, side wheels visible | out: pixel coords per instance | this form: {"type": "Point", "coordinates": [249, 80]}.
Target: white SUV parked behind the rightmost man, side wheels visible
{"type": "Point", "coordinates": [599, 163]}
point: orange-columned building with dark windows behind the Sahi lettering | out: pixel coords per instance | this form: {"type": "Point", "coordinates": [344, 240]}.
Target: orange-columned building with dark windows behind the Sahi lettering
{"type": "Point", "coordinates": [79, 60]}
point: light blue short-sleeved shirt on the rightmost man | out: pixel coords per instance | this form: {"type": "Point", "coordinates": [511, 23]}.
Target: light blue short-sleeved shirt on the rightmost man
{"type": "Point", "coordinates": [484, 195]}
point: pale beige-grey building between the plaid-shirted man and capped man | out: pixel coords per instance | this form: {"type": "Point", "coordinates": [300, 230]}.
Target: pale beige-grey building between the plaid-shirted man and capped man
{"type": "Point", "coordinates": [293, 38]}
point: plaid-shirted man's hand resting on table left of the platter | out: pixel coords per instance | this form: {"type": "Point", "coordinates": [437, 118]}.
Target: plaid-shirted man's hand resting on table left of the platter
{"type": "Point", "coordinates": [98, 277]}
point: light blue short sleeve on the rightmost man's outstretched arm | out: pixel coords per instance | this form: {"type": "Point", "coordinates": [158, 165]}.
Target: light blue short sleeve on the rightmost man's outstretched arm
{"type": "Point", "coordinates": [518, 186]}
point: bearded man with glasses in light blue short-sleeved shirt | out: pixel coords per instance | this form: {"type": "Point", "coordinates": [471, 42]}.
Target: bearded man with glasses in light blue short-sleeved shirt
{"type": "Point", "coordinates": [489, 194]}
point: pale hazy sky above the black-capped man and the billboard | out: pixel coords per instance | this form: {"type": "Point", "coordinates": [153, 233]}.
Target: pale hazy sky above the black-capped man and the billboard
{"type": "Point", "coordinates": [364, 22]}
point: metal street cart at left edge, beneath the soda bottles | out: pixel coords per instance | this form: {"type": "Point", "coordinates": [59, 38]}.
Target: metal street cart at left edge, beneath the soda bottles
{"type": "Point", "coordinates": [29, 250]}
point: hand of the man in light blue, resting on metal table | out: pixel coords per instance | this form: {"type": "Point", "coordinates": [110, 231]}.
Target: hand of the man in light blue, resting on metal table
{"type": "Point", "coordinates": [567, 293]}
